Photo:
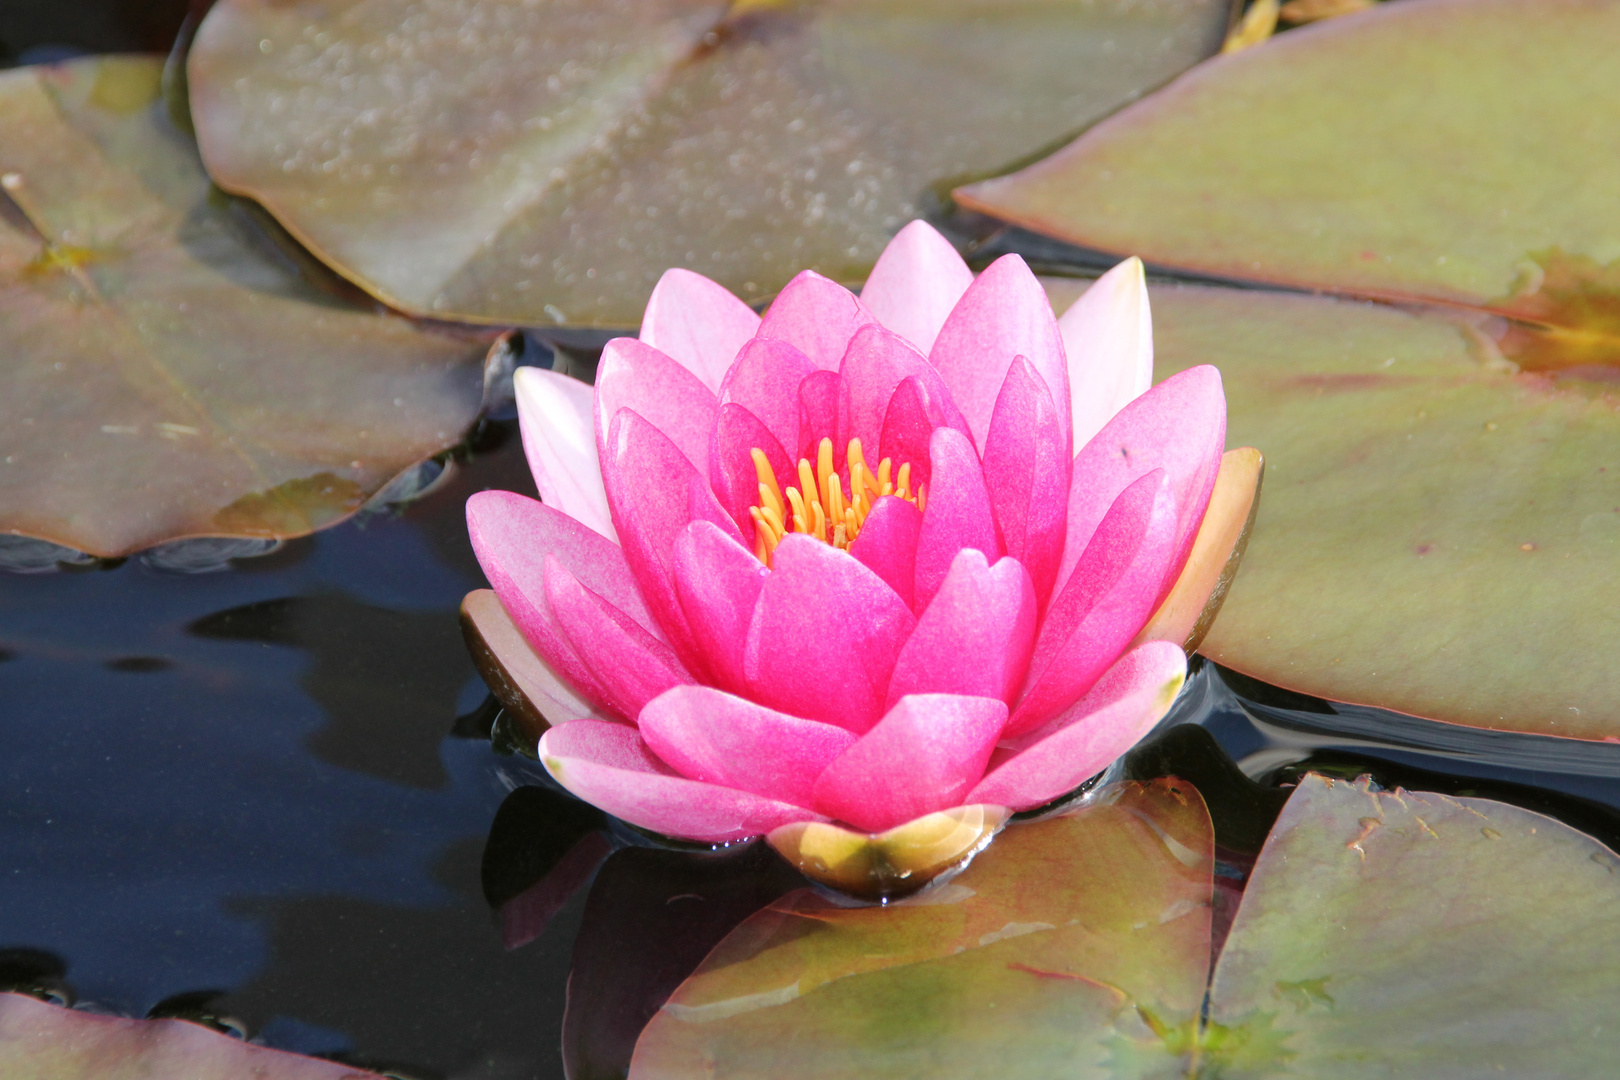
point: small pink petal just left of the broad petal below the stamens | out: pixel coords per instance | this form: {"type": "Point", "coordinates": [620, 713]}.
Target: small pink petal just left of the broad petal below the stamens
{"type": "Point", "coordinates": [718, 584]}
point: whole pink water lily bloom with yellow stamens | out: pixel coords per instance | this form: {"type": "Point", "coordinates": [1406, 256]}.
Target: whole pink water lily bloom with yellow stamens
{"type": "Point", "coordinates": [843, 563]}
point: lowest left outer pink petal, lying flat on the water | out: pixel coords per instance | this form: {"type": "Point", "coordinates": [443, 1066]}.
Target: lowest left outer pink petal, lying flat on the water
{"type": "Point", "coordinates": [610, 767]}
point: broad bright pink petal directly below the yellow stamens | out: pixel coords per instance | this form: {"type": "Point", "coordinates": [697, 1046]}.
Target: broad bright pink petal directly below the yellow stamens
{"type": "Point", "coordinates": [825, 636]}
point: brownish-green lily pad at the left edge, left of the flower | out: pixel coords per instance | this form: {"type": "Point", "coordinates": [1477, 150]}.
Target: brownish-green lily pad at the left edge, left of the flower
{"type": "Point", "coordinates": [168, 373]}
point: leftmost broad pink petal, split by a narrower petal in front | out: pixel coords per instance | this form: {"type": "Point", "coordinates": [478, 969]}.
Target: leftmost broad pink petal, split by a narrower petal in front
{"type": "Point", "coordinates": [513, 537]}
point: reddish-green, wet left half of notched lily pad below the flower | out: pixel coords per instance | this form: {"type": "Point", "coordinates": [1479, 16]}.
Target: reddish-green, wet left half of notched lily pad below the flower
{"type": "Point", "coordinates": [991, 974]}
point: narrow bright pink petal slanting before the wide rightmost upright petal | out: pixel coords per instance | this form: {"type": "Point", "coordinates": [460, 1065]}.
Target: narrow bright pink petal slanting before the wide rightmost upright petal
{"type": "Point", "coordinates": [1115, 587]}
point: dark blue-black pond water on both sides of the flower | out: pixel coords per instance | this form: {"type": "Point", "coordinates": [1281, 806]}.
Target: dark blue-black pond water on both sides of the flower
{"type": "Point", "coordinates": [266, 794]}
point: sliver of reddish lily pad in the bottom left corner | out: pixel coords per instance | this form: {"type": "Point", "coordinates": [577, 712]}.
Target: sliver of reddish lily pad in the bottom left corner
{"type": "Point", "coordinates": [45, 1042]}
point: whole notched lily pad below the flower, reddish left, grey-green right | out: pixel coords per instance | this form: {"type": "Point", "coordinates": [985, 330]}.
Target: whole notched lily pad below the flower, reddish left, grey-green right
{"type": "Point", "coordinates": [1381, 933]}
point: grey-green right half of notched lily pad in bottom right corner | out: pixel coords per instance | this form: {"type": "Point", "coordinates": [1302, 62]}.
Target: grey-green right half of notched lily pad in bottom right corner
{"type": "Point", "coordinates": [1412, 935]}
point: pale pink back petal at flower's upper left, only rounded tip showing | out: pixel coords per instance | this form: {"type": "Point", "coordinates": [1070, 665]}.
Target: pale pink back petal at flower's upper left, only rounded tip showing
{"type": "Point", "coordinates": [697, 323]}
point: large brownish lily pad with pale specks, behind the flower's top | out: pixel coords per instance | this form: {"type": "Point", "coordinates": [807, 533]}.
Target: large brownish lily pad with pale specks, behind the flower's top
{"type": "Point", "coordinates": [545, 163]}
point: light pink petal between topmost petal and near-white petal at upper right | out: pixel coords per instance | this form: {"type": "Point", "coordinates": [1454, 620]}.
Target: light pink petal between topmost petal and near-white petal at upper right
{"type": "Point", "coordinates": [1004, 315]}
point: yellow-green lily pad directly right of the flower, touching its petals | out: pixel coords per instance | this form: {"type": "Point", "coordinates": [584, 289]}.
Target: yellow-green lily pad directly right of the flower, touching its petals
{"type": "Point", "coordinates": [1439, 534]}
